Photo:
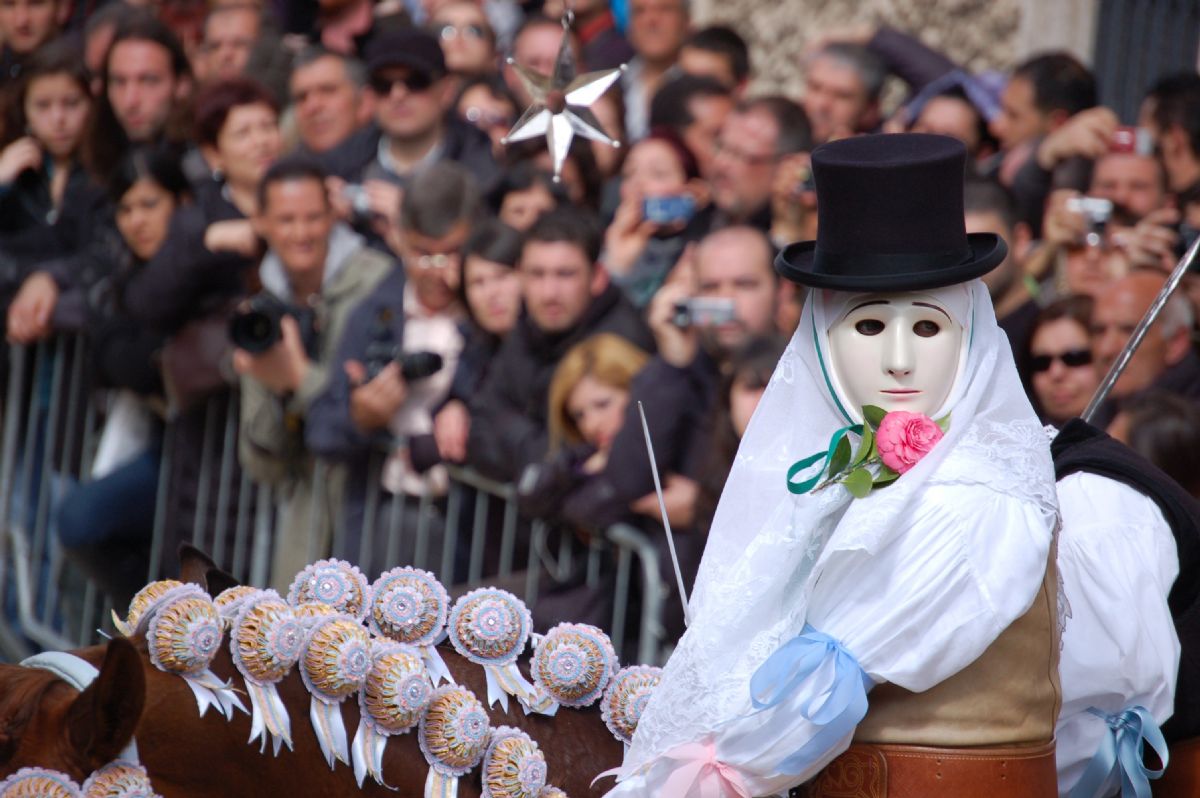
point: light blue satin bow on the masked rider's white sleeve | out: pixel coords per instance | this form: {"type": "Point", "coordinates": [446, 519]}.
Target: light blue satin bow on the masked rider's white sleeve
{"type": "Point", "coordinates": [837, 711]}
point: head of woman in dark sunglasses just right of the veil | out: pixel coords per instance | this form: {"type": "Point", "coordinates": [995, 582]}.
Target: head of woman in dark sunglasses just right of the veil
{"type": "Point", "coordinates": [1061, 370]}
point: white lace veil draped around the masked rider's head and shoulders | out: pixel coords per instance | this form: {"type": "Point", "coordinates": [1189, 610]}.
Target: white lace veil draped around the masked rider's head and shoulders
{"type": "Point", "coordinates": [766, 545]}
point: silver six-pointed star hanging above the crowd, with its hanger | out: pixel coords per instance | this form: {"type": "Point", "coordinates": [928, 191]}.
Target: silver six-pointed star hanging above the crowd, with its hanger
{"type": "Point", "coordinates": [562, 103]}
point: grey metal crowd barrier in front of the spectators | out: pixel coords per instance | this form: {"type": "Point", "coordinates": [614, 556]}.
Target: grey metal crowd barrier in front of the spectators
{"type": "Point", "coordinates": [52, 423]}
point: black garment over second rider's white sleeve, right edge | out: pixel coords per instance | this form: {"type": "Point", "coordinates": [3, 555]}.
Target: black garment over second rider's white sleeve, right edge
{"type": "Point", "coordinates": [1083, 448]}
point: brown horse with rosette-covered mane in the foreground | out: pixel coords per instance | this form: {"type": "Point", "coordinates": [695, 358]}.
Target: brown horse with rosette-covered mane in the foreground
{"type": "Point", "coordinates": [45, 723]}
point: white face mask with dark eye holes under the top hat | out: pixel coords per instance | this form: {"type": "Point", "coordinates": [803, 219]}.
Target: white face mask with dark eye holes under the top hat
{"type": "Point", "coordinates": [899, 352]}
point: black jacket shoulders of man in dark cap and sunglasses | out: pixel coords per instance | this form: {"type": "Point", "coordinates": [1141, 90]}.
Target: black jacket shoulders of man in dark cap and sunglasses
{"type": "Point", "coordinates": [461, 142]}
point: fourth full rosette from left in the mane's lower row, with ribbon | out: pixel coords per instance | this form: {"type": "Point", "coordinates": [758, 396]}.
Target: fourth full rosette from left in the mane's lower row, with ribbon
{"type": "Point", "coordinates": [392, 703]}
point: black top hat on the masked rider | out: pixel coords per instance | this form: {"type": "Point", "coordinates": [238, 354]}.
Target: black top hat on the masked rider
{"type": "Point", "coordinates": [890, 213]}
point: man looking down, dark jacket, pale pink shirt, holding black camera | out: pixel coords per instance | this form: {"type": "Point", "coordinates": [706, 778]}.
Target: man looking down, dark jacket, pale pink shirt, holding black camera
{"type": "Point", "coordinates": [398, 359]}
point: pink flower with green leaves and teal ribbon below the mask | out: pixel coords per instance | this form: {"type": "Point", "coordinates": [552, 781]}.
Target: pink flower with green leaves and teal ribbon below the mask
{"type": "Point", "coordinates": [890, 446]}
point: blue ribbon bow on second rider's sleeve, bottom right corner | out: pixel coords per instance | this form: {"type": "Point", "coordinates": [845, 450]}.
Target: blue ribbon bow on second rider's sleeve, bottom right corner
{"type": "Point", "coordinates": [1123, 751]}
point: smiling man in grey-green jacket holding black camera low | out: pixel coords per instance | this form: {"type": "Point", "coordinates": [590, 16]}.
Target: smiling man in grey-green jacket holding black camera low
{"type": "Point", "coordinates": [316, 271]}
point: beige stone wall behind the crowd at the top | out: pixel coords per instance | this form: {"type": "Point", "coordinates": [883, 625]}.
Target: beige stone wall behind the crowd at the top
{"type": "Point", "coordinates": [979, 34]}
